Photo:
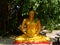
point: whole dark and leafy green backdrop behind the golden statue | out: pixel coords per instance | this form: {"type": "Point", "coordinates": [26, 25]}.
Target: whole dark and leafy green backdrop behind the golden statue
{"type": "Point", "coordinates": [14, 11]}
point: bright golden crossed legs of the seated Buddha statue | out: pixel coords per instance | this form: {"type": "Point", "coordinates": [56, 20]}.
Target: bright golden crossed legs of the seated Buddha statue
{"type": "Point", "coordinates": [24, 38]}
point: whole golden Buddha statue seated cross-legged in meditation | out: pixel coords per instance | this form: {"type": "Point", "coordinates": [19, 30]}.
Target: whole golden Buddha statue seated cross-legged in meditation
{"type": "Point", "coordinates": [31, 29]}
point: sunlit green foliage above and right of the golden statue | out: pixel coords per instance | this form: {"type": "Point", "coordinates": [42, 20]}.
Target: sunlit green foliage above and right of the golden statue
{"type": "Point", "coordinates": [48, 11]}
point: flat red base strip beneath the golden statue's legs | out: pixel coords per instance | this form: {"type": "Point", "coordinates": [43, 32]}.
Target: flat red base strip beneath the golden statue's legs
{"type": "Point", "coordinates": [32, 43]}
